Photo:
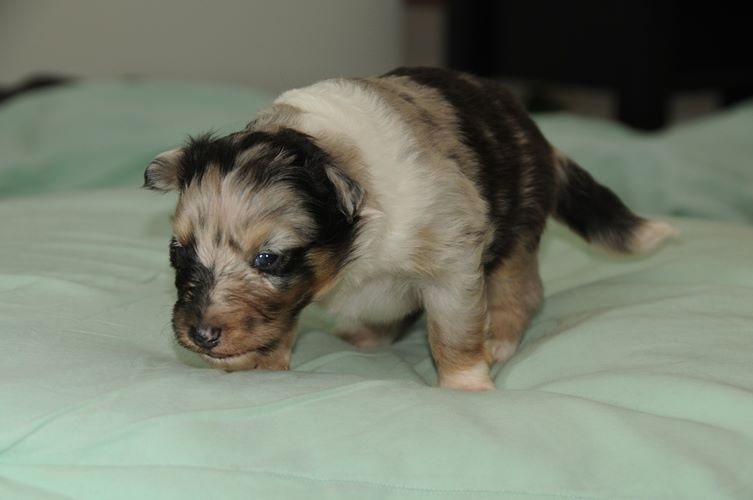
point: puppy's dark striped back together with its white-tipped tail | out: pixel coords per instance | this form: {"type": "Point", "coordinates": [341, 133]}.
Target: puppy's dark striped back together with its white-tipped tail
{"type": "Point", "coordinates": [521, 176]}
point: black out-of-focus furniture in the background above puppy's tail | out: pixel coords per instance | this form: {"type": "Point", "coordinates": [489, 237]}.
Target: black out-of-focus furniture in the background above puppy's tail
{"type": "Point", "coordinates": [642, 50]}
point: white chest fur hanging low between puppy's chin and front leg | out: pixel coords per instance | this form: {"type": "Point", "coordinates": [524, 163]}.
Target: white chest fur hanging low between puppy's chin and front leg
{"type": "Point", "coordinates": [375, 299]}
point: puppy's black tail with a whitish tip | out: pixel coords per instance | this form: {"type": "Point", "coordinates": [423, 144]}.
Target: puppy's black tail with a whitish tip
{"type": "Point", "coordinates": [596, 214]}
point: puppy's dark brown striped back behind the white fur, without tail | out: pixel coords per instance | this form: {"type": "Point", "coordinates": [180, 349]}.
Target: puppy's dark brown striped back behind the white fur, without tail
{"type": "Point", "coordinates": [481, 126]}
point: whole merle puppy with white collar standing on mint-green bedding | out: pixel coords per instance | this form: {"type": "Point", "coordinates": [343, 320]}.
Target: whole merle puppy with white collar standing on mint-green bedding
{"type": "Point", "coordinates": [419, 190]}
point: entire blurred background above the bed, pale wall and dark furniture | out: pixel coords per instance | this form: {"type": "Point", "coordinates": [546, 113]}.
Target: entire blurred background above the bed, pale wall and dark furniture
{"type": "Point", "coordinates": [648, 64]}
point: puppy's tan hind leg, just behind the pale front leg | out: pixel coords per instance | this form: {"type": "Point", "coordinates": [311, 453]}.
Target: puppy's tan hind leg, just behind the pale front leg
{"type": "Point", "coordinates": [514, 292]}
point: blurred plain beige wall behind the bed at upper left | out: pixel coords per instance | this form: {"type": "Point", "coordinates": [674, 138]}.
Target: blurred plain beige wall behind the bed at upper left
{"type": "Point", "coordinates": [274, 44]}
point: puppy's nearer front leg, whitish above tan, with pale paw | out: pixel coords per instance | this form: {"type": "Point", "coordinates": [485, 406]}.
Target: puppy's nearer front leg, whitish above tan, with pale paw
{"type": "Point", "coordinates": [457, 325]}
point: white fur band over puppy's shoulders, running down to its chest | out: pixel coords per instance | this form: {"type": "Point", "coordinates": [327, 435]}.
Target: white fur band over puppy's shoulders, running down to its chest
{"type": "Point", "coordinates": [410, 191]}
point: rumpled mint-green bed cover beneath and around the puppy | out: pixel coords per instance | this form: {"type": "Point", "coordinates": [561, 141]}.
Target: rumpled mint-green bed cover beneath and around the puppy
{"type": "Point", "coordinates": [635, 379]}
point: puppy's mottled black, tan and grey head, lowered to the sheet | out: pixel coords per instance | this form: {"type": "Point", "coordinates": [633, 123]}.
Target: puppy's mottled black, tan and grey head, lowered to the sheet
{"type": "Point", "coordinates": [264, 221]}
